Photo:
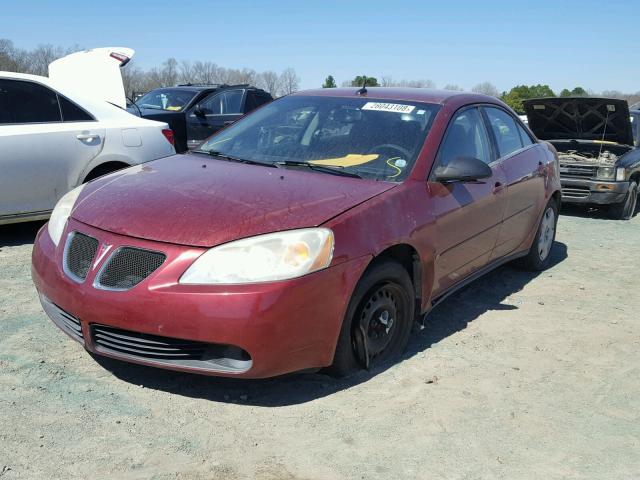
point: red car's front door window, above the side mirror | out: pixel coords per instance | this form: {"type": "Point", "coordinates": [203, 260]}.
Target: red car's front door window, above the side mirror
{"type": "Point", "coordinates": [465, 137]}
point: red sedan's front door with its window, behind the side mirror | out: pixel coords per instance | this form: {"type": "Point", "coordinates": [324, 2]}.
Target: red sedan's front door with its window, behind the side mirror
{"type": "Point", "coordinates": [468, 215]}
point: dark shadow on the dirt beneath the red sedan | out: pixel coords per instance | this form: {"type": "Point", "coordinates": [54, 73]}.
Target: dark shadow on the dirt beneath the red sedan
{"type": "Point", "coordinates": [451, 316]}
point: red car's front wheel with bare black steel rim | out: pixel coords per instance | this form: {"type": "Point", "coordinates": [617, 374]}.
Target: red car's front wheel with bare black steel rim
{"type": "Point", "coordinates": [382, 307]}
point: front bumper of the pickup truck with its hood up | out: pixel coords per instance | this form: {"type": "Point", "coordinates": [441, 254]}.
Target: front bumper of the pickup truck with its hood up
{"type": "Point", "coordinates": [598, 192]}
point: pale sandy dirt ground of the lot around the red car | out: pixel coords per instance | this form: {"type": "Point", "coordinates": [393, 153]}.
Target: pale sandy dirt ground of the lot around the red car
{"type": "Point", "coordinates": [518, 376]}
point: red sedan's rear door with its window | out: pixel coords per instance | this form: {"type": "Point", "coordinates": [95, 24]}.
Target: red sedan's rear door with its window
{"type": "Point", "coordinates": [523, 163]}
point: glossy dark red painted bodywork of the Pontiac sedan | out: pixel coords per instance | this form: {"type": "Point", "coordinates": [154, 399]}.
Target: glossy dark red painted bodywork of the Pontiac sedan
{"type": "Point", "coordinates": [286, 326]}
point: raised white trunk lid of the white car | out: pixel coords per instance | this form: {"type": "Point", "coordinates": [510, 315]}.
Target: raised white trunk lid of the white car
{"type": "Point", "coordinates": [94, 73]}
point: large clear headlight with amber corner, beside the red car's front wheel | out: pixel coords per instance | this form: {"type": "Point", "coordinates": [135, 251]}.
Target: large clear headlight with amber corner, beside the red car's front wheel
{"type": "Point", "coordinates": [264, 258]}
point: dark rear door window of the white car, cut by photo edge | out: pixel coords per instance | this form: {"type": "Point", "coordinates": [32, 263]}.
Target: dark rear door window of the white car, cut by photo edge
{"type": "Point", "coordinates": [29, 102]}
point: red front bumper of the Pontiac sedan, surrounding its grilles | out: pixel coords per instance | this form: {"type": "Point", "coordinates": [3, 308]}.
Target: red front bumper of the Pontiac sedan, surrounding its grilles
{"type": "Point", "coordinates": [280, 326]}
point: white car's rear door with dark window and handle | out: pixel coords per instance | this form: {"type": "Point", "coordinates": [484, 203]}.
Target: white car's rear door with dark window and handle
{"type": "Point", "coordinates": [41, 155]}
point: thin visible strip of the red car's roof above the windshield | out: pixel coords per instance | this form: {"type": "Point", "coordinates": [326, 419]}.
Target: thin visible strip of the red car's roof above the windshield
{"type": "Point", "coordinates": [424, 95]}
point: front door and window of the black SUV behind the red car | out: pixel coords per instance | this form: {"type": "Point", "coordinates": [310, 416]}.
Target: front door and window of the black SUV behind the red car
{"type": "Point", "coordinates": [214, 112]}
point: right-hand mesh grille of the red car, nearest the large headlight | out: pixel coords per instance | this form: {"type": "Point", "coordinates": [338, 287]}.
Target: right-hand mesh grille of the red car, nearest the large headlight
{"type": "Point", "coordinates": [128, 266]}
